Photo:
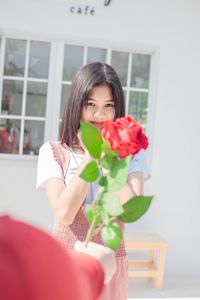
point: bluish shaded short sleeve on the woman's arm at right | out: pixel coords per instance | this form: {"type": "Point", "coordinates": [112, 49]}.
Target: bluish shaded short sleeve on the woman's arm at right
{"type": "Point", "coordinates": [138, 164]}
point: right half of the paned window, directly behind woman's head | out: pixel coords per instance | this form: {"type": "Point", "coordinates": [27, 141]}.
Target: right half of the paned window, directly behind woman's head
{"type": "Point", "coordinates": [133, 70]}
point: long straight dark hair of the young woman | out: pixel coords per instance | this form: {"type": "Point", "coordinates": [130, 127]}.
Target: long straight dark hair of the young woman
{"type": "Point", "coordinates": [88, 77]}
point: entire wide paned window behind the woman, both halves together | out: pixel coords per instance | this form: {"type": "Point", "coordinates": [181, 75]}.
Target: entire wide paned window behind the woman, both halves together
{"type": "Point", "coordinates": [24, 87]}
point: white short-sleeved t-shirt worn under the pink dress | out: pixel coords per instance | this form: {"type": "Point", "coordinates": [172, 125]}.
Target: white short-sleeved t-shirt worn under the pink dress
{"type": "Point", "coordinates": [49, 168]}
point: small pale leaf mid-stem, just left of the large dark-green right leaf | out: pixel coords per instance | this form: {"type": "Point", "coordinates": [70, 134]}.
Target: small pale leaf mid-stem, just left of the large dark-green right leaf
{"type": "Point", "coordinates": [112, 205]}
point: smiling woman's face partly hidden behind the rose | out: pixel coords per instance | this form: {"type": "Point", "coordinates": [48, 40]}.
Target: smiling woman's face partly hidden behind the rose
{"type": "Point", "coordinates": [100, 107]}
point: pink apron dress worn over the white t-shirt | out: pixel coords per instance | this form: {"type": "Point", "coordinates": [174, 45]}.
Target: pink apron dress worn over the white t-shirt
{"type": "Point", "coordinates": [117, 288]}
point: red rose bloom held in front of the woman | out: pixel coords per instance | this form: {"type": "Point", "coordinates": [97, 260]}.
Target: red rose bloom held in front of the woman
{"type": "Point", "coordinates": [125, 136]}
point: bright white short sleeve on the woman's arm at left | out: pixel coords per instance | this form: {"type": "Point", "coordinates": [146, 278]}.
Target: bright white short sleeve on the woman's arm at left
{"type": "Point", "coordinates": [47, 166]}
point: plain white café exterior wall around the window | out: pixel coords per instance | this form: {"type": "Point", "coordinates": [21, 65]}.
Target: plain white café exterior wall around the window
{"type": "Point", "coordinates": [173, 28]}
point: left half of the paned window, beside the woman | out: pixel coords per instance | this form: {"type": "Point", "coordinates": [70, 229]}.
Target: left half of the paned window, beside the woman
{"type": "Point", "coordinates": [24, 96]}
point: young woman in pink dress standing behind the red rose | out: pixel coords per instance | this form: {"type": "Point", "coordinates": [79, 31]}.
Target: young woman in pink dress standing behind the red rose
{"type": "Point", "coordinates": [96, 95]}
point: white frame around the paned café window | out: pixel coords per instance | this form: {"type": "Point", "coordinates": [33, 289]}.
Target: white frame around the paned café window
{"type": "Point", "coordinates": [55, 82]}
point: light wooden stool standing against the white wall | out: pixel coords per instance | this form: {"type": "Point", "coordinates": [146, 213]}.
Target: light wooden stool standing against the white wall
{"type": "Point", "coordinates": [152, 242]}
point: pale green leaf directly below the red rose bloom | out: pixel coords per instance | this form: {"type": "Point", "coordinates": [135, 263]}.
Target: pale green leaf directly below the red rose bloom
{"type": "Point", "coordinates": [119, 174]}
